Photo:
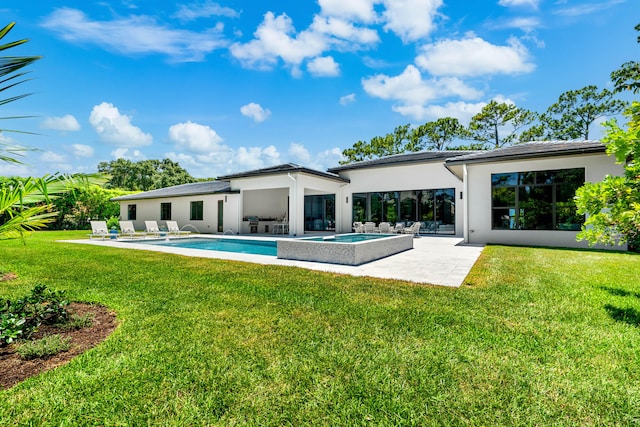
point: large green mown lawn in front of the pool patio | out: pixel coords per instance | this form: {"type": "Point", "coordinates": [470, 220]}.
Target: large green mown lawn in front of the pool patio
{"type": "Point", "coordinates": [535, 337]}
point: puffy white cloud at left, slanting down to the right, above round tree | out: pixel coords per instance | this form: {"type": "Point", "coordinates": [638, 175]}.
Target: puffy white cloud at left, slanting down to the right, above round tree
{"type": "Point", "coordinates": [115, 128]}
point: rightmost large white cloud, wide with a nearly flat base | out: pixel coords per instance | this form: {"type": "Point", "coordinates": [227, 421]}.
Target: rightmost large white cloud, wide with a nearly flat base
{"type": "Point", "coordinates": [473, 56]}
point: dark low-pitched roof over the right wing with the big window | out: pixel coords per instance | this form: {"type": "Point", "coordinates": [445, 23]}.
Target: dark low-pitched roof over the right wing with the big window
{"type": "Point", "coordinates": [532, 149]}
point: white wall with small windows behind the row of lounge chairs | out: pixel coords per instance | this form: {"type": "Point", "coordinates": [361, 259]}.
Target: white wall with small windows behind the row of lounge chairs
{"type": "Point", "coordinates": [149, 210]}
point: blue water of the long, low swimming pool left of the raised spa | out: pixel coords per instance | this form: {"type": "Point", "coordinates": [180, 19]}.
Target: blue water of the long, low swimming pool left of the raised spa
{"type": "Point", "coordinates": [256, 247]}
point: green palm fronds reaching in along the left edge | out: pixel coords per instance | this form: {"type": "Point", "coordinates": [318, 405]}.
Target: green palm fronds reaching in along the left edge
{"type": "Point", "coordinates": [25, 203]}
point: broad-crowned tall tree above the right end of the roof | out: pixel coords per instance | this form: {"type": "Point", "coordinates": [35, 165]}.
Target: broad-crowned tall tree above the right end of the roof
{"type": "Point", "coordinates": [575, 111]}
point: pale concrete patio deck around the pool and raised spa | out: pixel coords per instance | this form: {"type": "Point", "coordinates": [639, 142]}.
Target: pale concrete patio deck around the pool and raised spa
{"type": "Point", "coordinates": [436, 260]}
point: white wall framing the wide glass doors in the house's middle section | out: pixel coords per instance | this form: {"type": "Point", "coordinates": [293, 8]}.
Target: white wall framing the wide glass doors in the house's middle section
{"type": "Point", "coordinates": [405, 177]}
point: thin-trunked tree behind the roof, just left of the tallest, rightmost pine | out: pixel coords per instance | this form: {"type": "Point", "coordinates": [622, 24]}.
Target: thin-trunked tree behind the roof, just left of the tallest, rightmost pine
{"type": "Point", "coordinates": [498, 124]}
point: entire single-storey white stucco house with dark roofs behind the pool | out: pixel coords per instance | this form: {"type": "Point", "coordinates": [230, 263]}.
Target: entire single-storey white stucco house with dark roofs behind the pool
{"type": "Point", "coordinates": [520, 194]}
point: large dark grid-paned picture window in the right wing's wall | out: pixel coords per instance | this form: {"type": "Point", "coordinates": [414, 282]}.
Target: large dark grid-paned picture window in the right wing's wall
{"type": "Point", "coordinates": [540, 200]}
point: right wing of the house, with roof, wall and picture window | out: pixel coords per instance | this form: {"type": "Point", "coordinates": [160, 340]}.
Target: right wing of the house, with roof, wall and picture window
{"type": "Point", "coordinates": [523, 194]}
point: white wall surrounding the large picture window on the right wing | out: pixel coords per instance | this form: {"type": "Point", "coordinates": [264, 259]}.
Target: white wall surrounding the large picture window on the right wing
{"type": "Point", "coordinates": [597, 166]}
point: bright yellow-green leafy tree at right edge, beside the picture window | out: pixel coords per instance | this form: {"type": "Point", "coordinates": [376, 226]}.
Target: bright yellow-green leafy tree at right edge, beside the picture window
{"type": "Point", "coordinates": [612, 206]}
